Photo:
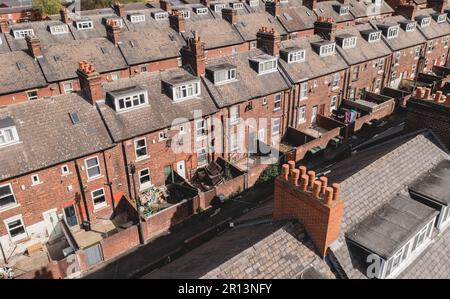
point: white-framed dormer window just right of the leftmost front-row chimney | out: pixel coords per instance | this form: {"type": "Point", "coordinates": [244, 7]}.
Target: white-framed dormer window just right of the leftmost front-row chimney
{"type": "Point", "coordinates": [128, 98]}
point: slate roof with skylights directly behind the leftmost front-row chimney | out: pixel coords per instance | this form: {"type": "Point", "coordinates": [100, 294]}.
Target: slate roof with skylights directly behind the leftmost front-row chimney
{"type": "Point", "coordinates": [60, 62]}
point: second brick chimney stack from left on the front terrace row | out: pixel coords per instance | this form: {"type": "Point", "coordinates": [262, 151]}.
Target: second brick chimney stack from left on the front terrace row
{"type": "Point", "coordinates": [194, 55]}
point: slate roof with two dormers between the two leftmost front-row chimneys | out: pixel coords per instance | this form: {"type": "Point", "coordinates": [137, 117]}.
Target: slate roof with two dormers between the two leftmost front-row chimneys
{"type": "Point", "coordinates": [161, 109]}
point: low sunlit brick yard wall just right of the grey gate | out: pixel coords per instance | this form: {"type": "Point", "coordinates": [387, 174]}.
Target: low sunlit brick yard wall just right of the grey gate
{"type": "Point", "coordinates": [120, 242]}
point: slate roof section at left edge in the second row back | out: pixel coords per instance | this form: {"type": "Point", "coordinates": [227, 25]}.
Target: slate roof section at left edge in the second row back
{"type": "Point", "coordinates": [19, 72]}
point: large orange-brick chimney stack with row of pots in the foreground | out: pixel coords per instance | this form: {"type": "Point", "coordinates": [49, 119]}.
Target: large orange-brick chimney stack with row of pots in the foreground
{"type": "Point", "coordinates": [318, 208]}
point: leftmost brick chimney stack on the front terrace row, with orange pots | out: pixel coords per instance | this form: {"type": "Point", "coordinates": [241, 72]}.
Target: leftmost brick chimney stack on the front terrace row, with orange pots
{"type": "Point", "coordinates": [90, 82]}
